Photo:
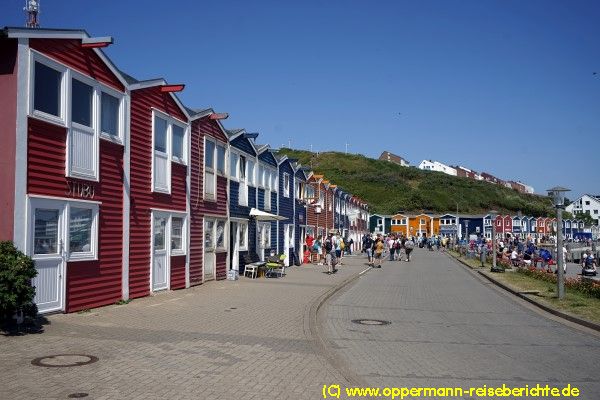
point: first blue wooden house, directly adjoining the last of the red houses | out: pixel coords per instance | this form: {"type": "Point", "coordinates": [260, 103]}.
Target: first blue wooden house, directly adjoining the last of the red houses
{"type": "Point", "coordinates": [242, 196]}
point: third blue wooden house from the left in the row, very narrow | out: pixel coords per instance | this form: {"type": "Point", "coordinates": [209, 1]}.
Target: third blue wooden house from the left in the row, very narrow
{"type": "Point", "coordinates": [286, 227]}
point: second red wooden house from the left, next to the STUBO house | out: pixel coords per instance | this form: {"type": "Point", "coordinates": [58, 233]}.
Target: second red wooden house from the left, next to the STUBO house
{"type": "Point", "coordinates": [159, 163]}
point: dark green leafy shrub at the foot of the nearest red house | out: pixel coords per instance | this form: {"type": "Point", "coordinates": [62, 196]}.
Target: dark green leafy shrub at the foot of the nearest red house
{"type": "Point", "coordinates": [16, 272]}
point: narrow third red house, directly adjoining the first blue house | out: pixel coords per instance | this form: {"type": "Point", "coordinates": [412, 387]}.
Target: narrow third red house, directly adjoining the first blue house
{"type": "Point", "coordinates": [208, 197]}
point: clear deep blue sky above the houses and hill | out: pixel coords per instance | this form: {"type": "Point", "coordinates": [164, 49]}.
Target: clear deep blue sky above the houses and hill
{"type": "Point", "coordinates": [505, 87]}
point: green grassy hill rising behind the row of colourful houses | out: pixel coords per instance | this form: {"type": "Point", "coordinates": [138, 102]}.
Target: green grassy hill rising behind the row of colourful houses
{"type": "Point", "coordinates": [390, 188]}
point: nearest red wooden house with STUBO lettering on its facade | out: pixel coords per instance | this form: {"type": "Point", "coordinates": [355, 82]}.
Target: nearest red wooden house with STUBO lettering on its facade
{"type": "Point", "coordinates": [63, 117]}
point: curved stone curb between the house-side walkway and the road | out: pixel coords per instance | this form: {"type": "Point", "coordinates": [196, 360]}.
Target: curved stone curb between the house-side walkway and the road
{"type": "Point", "coordinates": [313, 332]}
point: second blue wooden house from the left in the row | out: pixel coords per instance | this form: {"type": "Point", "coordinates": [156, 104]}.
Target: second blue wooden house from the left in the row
{"type": "Point", "coordinates": [267, 182]}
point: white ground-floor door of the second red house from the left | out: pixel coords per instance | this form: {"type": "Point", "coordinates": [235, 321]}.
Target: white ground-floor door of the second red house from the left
{"type": "Point", "coordinates": [160, 252]}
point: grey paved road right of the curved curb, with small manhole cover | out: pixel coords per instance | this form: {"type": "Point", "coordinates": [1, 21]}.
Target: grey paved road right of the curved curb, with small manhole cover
{"type": "Point", "coordinates": [449, 328]}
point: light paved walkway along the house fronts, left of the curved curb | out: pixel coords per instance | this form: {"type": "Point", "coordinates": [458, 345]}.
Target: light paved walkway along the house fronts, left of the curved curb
{"type": "Point", "coordinates": [246, 339]}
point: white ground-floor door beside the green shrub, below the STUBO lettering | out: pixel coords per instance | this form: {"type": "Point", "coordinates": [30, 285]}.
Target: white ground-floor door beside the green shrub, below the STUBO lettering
{"type": "Point", "coordinates": [47, 235]}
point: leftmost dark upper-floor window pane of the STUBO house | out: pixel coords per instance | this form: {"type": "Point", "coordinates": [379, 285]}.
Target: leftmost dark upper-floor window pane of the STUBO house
{"type": "Point", "coordinates": [47, 90]}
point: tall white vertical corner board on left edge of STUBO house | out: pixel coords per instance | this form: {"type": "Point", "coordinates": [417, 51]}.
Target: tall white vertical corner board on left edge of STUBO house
{"type": "Point", "coordinates": [22, 110]}
